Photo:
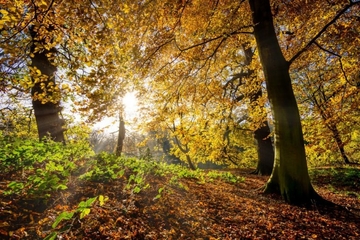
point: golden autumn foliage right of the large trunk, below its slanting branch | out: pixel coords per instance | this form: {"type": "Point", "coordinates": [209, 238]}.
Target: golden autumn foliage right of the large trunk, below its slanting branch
{"type": "Point", "coordinates": [326, 89]}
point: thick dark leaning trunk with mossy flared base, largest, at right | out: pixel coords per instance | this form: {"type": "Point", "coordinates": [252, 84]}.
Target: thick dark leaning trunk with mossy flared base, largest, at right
{"type": "Point", "coordinates": [290, 175]}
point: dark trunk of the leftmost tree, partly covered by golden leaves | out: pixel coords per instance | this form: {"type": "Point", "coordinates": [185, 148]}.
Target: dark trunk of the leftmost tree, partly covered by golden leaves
{"type": "Point", "coordinates": [47, 113]}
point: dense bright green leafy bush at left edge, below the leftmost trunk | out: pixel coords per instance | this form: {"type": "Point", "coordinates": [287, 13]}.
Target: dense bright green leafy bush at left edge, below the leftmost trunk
{"type": "Point", "coordinates": [43, 166]}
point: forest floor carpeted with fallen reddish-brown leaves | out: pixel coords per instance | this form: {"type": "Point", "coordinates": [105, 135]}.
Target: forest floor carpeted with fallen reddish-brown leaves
{"type": "Point", "coordinates": [187, 209]}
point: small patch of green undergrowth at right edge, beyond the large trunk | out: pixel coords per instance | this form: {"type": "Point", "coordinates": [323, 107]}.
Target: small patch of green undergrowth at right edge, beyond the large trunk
{"type": "Point", "coordinates": [345, 180]}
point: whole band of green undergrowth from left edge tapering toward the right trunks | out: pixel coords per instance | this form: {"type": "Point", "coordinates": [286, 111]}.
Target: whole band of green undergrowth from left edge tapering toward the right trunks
{"type": "Point", "coordinates": [36, 170]}
